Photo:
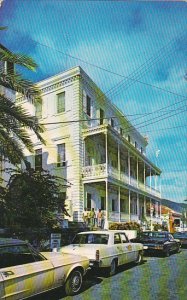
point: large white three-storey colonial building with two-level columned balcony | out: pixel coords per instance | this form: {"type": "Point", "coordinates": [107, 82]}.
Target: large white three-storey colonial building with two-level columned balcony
{"type": "Point", "coordinates": [91, 144]}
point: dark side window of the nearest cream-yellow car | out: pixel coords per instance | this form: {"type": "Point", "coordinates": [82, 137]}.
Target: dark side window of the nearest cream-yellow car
{"type": "Point", "coordinates": [15, 255]}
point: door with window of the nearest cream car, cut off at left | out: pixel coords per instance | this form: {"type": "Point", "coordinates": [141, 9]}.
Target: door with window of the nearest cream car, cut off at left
{"type": "Point", "coordinates": [24, 271]}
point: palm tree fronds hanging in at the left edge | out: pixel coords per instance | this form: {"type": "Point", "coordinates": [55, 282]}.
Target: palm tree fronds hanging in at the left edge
{"type": "Point", "coordinates": [14, 119]}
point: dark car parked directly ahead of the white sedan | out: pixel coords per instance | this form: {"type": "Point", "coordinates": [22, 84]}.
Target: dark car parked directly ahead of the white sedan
{"type": "Point", "coordinates": [158, 242]}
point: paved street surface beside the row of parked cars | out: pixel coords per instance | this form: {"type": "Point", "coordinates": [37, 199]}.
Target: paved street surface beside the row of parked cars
{"type": "Point", "coordinates": [158, 278]}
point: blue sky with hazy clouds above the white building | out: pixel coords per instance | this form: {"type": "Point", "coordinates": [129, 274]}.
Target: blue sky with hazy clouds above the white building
{"type": "Point", "coordinates": [135, 51]}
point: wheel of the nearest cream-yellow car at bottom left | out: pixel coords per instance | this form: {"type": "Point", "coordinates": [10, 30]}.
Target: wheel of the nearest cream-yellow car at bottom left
{"type": "Point", "coordinates": [73, 283]}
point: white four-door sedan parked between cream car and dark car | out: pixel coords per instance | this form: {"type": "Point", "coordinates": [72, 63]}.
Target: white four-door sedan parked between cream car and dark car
{"type": "Point", "coordinates": [105, 249]}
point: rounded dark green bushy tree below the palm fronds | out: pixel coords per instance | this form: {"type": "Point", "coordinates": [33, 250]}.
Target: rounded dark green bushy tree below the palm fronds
{"type": "Point", "coordinates": [33, 199]}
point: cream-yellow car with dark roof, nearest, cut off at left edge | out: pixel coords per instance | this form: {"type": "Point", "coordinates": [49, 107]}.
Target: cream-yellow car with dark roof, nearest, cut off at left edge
{"type": "Point", "coordinates": [25, 272]}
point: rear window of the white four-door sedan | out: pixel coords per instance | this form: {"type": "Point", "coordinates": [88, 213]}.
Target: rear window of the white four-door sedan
{"type": "Point", "coordinates": [91, 238]}
